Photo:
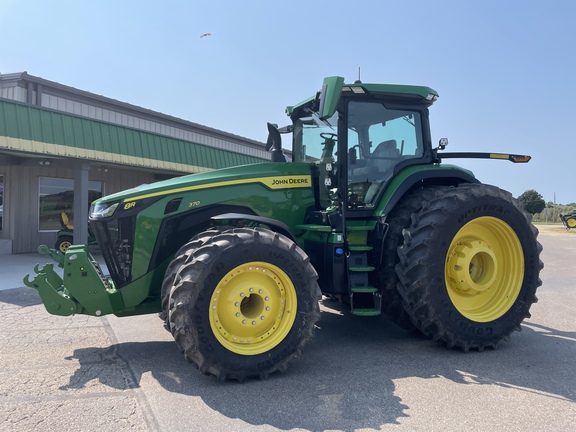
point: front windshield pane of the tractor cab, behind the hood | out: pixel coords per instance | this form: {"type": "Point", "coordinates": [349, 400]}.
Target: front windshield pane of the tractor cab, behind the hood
{"type": "Point", "coordinates": [308, 144]}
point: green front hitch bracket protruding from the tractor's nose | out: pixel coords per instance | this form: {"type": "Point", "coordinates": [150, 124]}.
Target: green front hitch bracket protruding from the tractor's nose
{"type": "Point", "coordinates": [83, 289]}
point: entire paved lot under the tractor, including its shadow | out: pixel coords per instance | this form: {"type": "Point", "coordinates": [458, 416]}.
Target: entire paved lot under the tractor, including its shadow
{"type": "Point", "coordinates": [358, 374]}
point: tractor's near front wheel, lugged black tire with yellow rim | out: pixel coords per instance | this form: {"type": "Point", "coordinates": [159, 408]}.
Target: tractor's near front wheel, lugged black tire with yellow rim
{"type": "Point", "coordinates": [244, 304]}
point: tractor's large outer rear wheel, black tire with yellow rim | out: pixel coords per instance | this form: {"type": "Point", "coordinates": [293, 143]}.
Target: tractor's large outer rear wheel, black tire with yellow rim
{"type": "Point", "coordinates": [469, 266]}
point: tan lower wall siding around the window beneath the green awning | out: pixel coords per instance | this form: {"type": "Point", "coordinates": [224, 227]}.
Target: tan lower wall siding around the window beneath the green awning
{"type": "Point", "coordinates": [21, 198]}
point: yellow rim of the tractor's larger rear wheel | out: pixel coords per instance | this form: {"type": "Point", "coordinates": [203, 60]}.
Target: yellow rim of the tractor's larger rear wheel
{"type": "Point", "coordinates": [484, 269]}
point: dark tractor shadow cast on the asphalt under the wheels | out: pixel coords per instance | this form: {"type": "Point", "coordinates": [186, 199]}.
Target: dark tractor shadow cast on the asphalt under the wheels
{"type": "Point", "coordinates": [347, 378]}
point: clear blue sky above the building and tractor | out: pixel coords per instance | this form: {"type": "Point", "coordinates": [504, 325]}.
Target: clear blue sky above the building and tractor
{"type": "Point", "coordinates": [505, 70]}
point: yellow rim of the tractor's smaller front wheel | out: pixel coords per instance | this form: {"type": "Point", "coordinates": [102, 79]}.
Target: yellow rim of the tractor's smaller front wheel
{"type": "Point", "coordinates": [253, 308]}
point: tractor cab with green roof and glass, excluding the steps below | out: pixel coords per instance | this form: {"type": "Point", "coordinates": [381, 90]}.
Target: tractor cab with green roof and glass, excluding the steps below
{"type": "Point", "coordinates": [356, 137]}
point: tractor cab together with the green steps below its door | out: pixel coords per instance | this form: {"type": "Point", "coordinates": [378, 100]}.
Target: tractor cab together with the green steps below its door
{"type": "Point", "coordinates": [356, 138]}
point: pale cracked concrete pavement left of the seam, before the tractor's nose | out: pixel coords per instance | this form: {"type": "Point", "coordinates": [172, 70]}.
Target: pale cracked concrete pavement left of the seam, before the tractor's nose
{"type": "Point", "coordinates": [60, 373]}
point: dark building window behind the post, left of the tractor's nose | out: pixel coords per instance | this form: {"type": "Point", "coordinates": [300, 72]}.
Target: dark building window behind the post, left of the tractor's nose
{"type": "Point", "coordinates": [56, 197]}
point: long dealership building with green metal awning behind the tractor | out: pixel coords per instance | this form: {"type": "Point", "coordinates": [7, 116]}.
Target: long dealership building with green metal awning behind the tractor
{"type": "Point", "coordinates": [61, 148]}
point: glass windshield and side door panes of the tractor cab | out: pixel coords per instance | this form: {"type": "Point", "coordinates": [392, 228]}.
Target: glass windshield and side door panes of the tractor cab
{"type": "Point", "coordinates": [379, 139]}
